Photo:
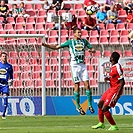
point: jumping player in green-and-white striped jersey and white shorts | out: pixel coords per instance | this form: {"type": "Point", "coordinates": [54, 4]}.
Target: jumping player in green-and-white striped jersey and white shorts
{"type": "Point", "coordinates": [78, 68]}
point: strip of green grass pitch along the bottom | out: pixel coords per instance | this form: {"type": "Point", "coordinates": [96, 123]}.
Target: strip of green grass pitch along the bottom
{"type": "Point", "coordinates": [61, 124]}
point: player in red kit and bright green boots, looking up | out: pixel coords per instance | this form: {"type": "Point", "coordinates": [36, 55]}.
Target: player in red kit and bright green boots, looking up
{"type": "Point", "coordinates": [112, 94]}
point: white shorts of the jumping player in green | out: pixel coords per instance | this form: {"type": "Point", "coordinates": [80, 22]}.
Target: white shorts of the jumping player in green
{"type": "Point", "coordinates": [79, 73]}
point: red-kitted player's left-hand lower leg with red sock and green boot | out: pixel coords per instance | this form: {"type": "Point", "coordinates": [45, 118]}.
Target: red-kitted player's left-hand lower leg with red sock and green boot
{"type": "Point", "coordinates": [100, 116]}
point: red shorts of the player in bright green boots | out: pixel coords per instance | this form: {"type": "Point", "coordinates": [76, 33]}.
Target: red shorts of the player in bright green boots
{"type": "Point", "coordinates": [107, 98]}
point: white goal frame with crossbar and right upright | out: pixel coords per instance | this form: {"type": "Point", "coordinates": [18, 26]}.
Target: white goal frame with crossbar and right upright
{"type": "Point", "coordinates": [43, 61]}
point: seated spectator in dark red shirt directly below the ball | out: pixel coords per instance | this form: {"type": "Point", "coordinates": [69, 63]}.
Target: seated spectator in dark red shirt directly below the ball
{"type": "Point", "coordinates": [90, 24]}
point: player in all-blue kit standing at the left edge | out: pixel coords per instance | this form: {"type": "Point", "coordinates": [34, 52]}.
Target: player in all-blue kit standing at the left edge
{"type": "Point", "coordinates": [6, 79]}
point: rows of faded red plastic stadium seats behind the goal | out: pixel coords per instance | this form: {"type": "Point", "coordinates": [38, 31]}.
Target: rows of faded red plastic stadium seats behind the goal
{"type": "Point", "coordinates": [111, 37]}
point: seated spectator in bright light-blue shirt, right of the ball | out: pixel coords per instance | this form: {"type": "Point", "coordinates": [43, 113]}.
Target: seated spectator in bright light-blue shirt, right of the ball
{"type": "Point", "coordinates": [101, 15]}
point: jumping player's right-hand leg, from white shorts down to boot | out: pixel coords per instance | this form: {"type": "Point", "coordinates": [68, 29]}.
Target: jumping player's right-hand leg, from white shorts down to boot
{"type": "Point", "coordinates": [85, 79]}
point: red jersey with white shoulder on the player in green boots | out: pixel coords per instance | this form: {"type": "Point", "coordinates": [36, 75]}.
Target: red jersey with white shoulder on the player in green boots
{"type": "Point", "coordinates": [116, 73]}
